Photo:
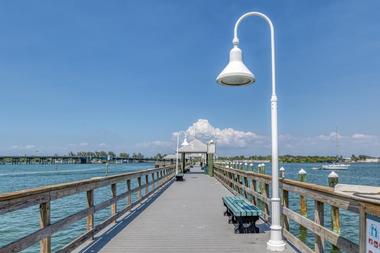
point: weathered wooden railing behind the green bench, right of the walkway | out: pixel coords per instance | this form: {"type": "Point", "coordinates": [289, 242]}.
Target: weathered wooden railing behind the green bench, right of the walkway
{"type": "Point", "coordinates": [249, 183]}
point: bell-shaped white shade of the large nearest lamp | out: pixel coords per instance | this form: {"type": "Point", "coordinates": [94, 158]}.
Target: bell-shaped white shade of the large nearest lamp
{"type": "Point", "coordinates": [235, 73]}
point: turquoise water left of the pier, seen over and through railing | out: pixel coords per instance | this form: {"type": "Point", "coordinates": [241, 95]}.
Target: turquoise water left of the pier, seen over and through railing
{"type": "Point", "coordinates": [20, 223]}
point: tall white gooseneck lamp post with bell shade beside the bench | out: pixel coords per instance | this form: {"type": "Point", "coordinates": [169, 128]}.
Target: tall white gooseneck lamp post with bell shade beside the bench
{"type": "Point", "coordinates": [237, 74]}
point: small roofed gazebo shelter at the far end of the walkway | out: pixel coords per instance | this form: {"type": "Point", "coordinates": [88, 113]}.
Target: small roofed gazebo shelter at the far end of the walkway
{"type": "Point", "coordinates": [197, 147]}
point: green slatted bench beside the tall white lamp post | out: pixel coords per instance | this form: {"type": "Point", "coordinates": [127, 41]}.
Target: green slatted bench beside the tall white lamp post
{"type": "Point", "coordinates": [242, 213]}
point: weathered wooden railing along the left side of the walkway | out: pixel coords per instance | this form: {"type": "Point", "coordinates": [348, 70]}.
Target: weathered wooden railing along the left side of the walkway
{"type": "Point", "coordinates": [9, 202]}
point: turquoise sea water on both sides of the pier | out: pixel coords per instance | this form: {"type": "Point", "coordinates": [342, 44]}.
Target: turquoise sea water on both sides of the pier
{"type": "Point", "coordinates": [20, 223]}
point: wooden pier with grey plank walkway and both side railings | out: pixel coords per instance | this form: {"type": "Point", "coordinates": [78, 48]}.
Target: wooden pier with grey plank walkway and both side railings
{"type": "Point", "coordinates": [170, 216]}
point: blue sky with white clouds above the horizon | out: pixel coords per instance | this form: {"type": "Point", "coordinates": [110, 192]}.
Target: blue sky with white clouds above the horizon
{"type": "Point", "coordinates": [125, 75]}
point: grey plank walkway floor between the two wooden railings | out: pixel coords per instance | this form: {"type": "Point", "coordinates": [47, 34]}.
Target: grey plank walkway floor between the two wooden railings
{"type": "Point", "coordinates": [186, 217]}
